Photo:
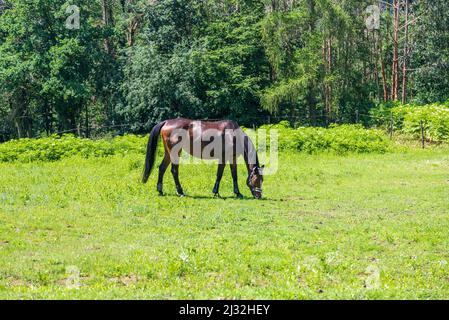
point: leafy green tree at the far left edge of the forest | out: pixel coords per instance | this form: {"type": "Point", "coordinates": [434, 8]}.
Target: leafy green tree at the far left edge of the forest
{"type": "Point", "coordinates": [27, 34]}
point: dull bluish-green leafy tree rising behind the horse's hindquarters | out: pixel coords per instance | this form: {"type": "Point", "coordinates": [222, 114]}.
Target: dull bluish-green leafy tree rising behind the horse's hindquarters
{"type": "Point", "coordinates": [159, 80]}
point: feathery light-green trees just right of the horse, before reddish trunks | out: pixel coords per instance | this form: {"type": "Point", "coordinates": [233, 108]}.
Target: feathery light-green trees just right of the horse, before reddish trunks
{"type": "Point", "coordinates": [309, 47]}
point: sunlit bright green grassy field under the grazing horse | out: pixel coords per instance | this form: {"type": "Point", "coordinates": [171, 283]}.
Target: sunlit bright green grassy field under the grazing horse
{"type": "Point", "coordinates": [357, 227]}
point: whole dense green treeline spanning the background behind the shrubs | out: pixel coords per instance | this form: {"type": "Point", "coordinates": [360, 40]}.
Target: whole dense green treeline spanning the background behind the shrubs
{"type": "Point", "coordinates": [128, 64]}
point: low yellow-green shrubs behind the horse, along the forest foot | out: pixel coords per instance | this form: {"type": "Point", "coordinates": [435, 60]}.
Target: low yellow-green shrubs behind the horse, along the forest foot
{"type": "Point", "coordinates": [338, 139]}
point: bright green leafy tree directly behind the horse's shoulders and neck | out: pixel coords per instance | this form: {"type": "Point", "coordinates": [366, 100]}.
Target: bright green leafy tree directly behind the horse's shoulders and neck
{"type": "Point", "coordinates": [231, 66]}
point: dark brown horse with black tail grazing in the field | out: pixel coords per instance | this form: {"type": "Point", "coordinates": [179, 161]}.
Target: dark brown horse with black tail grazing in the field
{"type": "Point", "coordinates": [224, 141]}
